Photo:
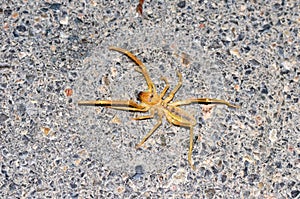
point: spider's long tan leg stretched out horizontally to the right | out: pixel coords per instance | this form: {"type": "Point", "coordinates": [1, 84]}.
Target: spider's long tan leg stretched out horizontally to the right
{"type": "Point", "coordinates": [203, 101]}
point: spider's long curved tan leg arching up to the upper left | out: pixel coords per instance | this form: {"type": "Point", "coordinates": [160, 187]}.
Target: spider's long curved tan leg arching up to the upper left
{"type": "Point", "coordinates": [139, 63]}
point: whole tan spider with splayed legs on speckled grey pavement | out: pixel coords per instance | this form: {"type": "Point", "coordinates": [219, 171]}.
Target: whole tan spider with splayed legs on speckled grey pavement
{"type": "Point", "coordinates": [158, 104]}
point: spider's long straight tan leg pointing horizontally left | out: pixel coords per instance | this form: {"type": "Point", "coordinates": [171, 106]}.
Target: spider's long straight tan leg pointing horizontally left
{"type": "Point", "coordinates": [127, 105]}
